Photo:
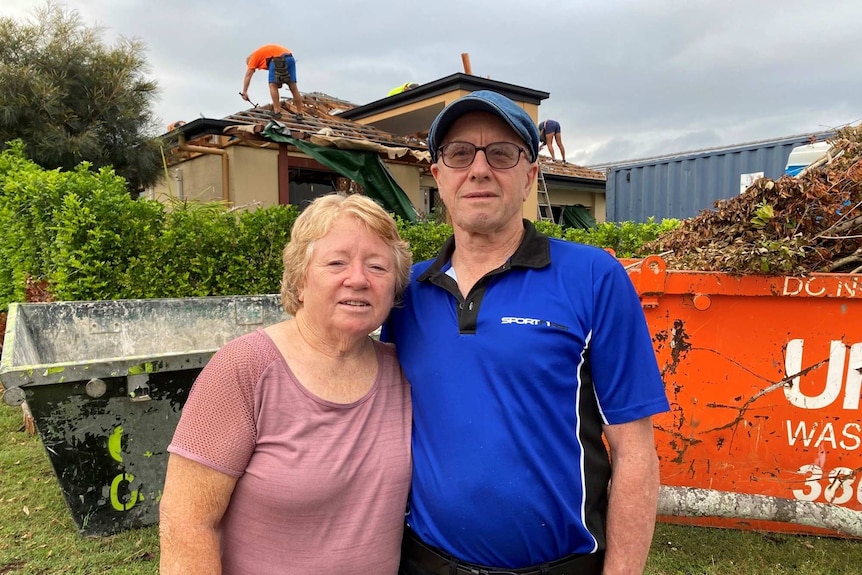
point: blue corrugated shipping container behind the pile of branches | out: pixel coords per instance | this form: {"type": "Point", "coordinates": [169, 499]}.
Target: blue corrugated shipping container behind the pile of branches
{"type": "Point", "coordinates": [682, 185]}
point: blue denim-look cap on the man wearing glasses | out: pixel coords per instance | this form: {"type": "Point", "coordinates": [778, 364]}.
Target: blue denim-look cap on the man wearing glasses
{"type": "Point", "coordinates": [485, 101]}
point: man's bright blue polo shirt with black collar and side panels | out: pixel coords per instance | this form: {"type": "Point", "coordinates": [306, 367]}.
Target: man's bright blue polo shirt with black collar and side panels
{"type": "Point", "coordinates": [510, 389]}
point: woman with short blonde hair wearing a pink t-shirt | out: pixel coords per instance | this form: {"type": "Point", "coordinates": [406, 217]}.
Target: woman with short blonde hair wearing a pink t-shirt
{"type": "Point", "coordinates": [292, 454]}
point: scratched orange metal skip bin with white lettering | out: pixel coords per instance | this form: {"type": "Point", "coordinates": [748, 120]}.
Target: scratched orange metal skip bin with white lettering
{"type": "Point", "coordinates": [763, 374]}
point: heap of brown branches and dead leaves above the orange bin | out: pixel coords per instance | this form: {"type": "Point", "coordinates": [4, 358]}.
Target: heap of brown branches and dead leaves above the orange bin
{"type": "Point", "coordinates": [789, 226]}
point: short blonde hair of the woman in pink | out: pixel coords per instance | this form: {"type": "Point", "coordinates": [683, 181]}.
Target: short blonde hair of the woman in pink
{"type": "Point", "coordinates": [317, 220]}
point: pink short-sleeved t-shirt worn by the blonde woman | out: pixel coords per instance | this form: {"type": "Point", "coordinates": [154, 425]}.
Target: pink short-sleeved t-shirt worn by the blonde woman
{"type": "Point", "coordinates": [322, 486]}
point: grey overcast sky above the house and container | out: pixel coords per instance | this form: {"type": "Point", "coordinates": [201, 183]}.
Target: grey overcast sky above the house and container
{"type": "Point", "coordinates": [627, 78]}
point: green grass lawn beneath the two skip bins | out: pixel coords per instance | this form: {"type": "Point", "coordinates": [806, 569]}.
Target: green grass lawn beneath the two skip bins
{"type": "Point", "coordinates": [38, 537]}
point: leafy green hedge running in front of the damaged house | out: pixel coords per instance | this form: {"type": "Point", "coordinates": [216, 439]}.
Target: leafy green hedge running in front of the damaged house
{"type": "Point", "coordinates": [80, 236]}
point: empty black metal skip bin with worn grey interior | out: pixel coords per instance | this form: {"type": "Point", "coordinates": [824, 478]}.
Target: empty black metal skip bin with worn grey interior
{"type": "Point", "coordinates": [105, 382]}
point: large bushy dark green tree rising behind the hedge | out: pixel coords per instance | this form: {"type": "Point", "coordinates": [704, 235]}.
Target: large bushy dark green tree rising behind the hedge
{"type": "Point", "coordinates": [70, 98]}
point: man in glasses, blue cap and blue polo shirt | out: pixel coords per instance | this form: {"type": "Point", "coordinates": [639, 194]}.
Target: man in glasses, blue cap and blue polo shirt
{"type": "Point", "coordinates": [523, 353]}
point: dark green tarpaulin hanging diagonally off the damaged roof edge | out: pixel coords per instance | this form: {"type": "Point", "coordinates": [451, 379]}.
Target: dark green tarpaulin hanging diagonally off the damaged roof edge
{"type": "Point", "coordinates": [363, 167]}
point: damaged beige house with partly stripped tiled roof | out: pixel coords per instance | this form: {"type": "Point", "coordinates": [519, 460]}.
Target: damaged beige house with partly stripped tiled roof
{"type": "Point", "coordinates": [379, 149]}
